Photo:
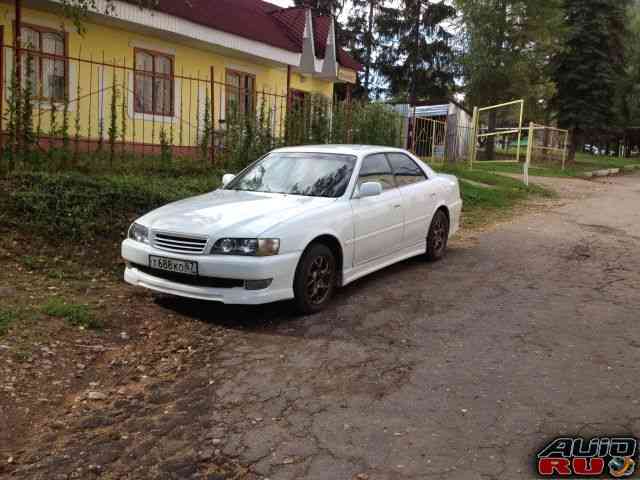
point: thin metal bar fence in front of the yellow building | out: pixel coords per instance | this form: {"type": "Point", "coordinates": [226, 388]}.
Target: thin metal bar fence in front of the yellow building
{"type": "Point", "coordinates": [86, 105]}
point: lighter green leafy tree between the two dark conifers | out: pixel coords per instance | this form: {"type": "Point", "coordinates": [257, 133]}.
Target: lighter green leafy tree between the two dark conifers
{"type": "Point", "coordinates": [505, 50]}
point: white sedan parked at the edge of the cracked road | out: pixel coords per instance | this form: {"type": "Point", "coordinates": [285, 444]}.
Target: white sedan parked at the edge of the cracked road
{"type": "Point", "coordinates": [296, 224]}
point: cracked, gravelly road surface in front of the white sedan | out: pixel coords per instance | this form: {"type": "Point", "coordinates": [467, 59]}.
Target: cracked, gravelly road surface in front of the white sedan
{"type": "Point", "coordinates": [460, 369]}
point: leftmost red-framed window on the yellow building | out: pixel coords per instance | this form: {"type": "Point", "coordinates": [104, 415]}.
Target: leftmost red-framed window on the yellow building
{"type": "Point", "coordinates": [43, 64]}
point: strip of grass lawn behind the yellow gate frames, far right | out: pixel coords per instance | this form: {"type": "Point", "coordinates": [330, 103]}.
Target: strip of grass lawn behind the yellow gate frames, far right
{"type": "Point", "coordinates": [584, 163]}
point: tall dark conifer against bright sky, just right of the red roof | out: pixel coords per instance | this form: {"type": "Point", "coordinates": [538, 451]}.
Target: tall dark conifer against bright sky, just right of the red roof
{"type": "Point", "coordinates": [416, 54]}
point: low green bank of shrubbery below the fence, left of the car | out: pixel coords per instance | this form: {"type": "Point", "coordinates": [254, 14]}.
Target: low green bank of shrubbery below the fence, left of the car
{"type": "Point", "coordinates": [83, 208]}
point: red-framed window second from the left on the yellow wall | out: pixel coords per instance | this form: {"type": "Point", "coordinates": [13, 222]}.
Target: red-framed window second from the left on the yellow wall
{"type": "Point", "coordinates": [154, 83]}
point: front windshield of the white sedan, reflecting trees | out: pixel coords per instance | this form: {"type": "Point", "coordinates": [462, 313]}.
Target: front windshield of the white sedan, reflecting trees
{"type": "Point", "coordinates": [308, 174]}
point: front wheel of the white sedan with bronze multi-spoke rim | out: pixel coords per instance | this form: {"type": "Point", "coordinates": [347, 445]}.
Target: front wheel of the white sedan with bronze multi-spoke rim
{"type": "Point", "coordinates": [315, 279]}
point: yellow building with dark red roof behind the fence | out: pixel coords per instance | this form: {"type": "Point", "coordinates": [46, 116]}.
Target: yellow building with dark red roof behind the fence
{"type": "Point", "coordinates": [140, 74]}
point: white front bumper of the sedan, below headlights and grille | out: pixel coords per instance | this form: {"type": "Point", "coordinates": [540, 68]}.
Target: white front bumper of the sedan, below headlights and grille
{"type": "Point", "coordinates": [280, 268]}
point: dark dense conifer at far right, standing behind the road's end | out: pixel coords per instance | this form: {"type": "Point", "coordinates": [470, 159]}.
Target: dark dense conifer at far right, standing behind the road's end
{"type": "Point", "coordinates": [590, 66]}
